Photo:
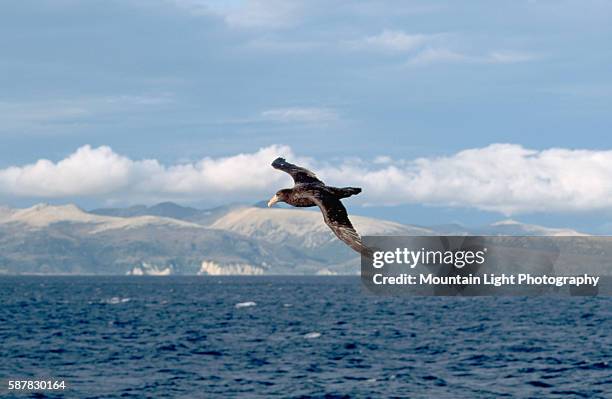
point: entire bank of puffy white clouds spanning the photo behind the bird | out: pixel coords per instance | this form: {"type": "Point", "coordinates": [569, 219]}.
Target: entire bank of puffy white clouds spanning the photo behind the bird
{"type": "Point", "coordinates": [505, 178]}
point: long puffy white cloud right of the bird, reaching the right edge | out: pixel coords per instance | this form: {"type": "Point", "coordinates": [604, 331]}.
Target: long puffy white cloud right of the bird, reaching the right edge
{"type": "Point", "coordinates": [507, 178]}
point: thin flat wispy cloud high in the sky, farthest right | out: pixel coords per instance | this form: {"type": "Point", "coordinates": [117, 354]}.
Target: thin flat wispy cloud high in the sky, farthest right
{"type": "Point", "coordinates": [442, 55]}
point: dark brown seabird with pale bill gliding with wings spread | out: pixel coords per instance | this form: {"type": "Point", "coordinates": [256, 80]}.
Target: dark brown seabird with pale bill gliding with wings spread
{"type": "Point", "coordinates": [308, 190]}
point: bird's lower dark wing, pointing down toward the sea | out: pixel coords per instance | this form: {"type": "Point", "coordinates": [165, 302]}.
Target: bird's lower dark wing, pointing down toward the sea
{"type": "Point", "coordinates": [336, 217]}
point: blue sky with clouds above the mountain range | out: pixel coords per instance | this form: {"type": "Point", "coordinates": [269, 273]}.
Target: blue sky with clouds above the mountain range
{"type": "Point", "coordinates": [443, 111]}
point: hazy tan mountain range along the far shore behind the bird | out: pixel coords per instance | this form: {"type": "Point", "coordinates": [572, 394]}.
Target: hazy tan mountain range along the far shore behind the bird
{"type": "Point", "coordinates": [168, 238]}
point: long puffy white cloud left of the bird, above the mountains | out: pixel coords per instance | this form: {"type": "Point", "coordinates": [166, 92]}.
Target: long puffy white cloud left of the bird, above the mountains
{"type": "Point", "coordinates": [100, 172]}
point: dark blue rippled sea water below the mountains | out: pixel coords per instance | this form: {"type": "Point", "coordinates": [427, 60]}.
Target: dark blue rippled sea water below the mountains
{"type": "Point", "coordinates": [184, 337]}
